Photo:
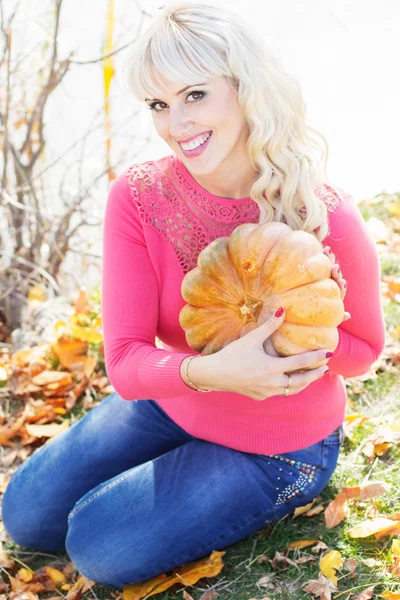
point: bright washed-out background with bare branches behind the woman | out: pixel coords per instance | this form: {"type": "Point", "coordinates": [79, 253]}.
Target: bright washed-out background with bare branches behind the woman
{"type": "Point", "coordinates": [69, 123]}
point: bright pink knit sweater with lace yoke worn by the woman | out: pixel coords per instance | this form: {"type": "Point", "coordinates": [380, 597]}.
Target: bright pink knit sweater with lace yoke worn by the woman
{"type": "Point", "coordinates": [157, 220]}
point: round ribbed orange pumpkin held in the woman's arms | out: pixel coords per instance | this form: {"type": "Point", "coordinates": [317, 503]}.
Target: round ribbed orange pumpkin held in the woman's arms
{"type": "Point", "coordinates": [242, 279]}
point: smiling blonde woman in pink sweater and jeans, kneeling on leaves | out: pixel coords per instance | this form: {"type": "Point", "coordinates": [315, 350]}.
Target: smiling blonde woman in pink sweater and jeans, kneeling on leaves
{"type": "Point", "coordinates": [160, 474]}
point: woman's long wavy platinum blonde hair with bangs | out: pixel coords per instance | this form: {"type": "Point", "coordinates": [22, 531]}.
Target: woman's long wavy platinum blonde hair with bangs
{"type": "Point", "coordinates": [191, 40]}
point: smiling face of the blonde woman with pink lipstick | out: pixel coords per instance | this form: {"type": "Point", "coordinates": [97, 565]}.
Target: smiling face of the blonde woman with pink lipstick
{"type": "Point", "coordinates": [208, 106]}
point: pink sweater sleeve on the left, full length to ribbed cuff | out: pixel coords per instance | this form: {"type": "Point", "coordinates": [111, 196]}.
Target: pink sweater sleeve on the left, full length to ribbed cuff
{"type": "Point", "coordinates": [136, 368]}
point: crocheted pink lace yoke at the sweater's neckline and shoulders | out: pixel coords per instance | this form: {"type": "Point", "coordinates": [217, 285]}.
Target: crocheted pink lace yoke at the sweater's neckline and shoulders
{"type": "Point", "coordinates": [187, 218]}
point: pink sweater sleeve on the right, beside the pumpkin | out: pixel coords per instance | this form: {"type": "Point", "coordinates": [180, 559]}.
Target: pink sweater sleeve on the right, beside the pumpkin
{"type": "Point", "coordinates": [361, 338]}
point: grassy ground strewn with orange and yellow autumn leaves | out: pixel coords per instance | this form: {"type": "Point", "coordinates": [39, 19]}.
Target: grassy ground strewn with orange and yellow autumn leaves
{"type": "Point", "coordinates": [345, 544]}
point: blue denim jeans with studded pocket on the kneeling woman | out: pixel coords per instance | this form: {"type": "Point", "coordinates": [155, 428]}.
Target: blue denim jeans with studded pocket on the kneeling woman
{"type": "Point", "coordinates": [130, 494]}
